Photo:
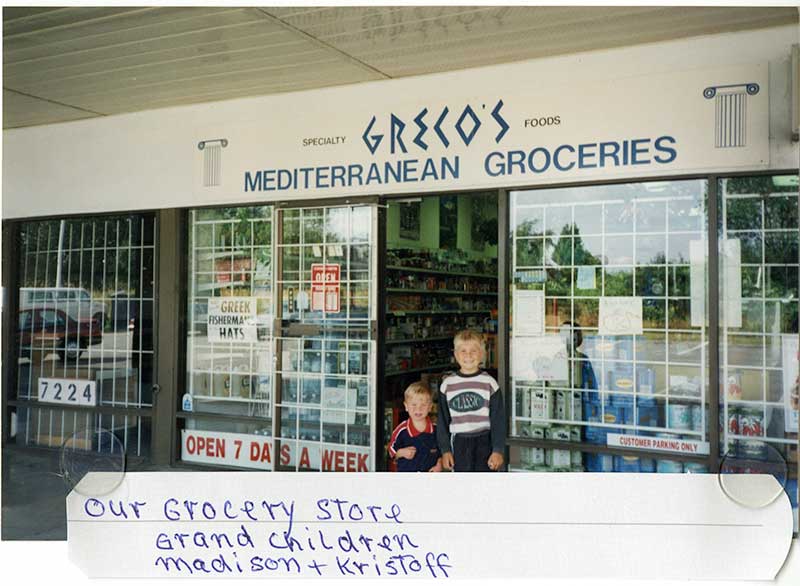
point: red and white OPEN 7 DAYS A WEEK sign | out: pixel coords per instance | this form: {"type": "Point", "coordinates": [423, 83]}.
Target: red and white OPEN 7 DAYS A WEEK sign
{"type": "Point", "coordinates": [255, 451]}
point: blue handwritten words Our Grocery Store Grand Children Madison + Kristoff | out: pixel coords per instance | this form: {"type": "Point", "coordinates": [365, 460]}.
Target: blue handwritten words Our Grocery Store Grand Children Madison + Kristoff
{"type": "Point", "coordinates": [344, 538]}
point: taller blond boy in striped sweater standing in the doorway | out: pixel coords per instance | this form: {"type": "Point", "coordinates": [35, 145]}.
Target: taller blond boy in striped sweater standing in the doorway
{"type": "Point", "coordinates": [472, 419]}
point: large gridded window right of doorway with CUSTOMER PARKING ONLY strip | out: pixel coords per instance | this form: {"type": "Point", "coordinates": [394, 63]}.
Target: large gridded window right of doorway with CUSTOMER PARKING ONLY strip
{"type": "Point", "coordinates": [609, 320]}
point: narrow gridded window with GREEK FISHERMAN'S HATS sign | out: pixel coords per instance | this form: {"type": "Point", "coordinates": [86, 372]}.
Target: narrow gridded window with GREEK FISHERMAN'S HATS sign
{"type": "Point", "coordinates": [229, 316]}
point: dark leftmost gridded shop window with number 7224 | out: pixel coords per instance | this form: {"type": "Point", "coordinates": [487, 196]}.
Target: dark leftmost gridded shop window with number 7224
{"type": "Point", "coordinates": [84, 334]}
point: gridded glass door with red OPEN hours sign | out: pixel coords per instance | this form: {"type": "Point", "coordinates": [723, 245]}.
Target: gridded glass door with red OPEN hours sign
{"type": "Point", "coordinates": [325, 338]}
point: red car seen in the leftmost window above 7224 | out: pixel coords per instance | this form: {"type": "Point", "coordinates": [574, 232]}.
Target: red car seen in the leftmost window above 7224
{"type": "Point", "coordinates": [41, 330]}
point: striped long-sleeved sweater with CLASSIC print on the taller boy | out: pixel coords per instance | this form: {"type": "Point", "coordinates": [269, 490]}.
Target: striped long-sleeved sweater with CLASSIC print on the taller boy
{"type": "Point", "coordinates": [471, 404]}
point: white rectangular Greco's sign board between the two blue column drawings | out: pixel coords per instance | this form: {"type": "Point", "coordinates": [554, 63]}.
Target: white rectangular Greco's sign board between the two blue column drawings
{"type": "Point", "coordinates": [511, 135]}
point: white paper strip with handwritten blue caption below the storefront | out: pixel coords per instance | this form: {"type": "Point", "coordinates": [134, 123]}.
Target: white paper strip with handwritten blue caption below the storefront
{"type": "Point", "coordinates": [317, 525]}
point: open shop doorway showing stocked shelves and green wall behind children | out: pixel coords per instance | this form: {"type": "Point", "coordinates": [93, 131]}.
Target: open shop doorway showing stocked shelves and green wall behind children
{"type": "Point", "coordinates": [441, 276]}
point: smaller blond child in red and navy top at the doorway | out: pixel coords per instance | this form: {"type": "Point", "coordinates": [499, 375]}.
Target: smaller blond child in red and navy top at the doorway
{"type": "Point", "coordinates": [413, 444]}
